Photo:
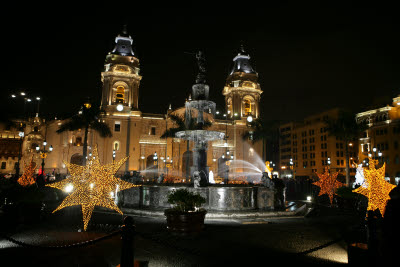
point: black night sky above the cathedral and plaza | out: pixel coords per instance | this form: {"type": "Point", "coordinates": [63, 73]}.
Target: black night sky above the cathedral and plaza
{"type": "Point", "coordinates": [310, 57]}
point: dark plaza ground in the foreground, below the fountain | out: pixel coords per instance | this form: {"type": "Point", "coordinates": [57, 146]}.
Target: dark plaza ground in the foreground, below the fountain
{"type": "Point", "coordinates": [284, 241]}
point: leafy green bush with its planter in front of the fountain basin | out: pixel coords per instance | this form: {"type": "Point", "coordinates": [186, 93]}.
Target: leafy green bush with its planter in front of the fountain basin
{"type": "Point", "coordinates": [185, 216]}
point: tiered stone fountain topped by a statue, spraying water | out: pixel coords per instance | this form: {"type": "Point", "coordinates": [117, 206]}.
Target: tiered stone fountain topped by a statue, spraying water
{"type": "Point", "coordinates": [219, 198]}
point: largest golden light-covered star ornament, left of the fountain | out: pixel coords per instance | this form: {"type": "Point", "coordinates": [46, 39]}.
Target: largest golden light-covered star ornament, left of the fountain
{"type": "Point", "coordinates": [92, 185]}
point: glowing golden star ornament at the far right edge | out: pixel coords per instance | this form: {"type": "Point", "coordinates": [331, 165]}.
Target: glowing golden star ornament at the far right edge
{"type": "Point", "coordinates": [375, 188]}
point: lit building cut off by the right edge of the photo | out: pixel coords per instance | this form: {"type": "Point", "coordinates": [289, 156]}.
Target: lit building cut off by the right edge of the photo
{"type": "Point", "coordinates": [382, 139]}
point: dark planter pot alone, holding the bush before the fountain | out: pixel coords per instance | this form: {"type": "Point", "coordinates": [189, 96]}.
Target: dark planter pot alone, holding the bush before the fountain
{"type": "Point", "coordinates": [185, 222]}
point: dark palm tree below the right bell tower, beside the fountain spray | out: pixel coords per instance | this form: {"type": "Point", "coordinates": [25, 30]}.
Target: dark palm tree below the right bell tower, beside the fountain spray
{"type": "Point", "coordinates": [264, 131]}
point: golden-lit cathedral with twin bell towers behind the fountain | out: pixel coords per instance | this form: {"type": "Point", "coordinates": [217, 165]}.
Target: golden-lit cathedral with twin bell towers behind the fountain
{"type": "Point", "coordinates": [137, 135]}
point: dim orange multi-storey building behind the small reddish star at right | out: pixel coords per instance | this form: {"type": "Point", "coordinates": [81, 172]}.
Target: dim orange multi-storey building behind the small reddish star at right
{"type": "Point", "coordinates": [306, 147]}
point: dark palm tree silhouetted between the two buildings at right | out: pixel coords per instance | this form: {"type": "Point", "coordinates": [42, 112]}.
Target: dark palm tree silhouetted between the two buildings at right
{"type": "Point", "coordinates": [346, 128]}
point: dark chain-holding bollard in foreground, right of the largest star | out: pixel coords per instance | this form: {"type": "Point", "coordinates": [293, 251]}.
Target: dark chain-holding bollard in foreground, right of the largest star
{"type": "Point", "coordinates": [127, 236]}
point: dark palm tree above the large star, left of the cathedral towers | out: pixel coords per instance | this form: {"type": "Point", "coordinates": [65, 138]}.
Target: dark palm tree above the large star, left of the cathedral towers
{"type": "Point", "coordinates": [87, 118]}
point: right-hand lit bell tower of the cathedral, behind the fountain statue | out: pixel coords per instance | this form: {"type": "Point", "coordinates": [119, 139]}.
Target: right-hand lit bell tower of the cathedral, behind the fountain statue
{"type": "Point", "coordinates": [242, 91]}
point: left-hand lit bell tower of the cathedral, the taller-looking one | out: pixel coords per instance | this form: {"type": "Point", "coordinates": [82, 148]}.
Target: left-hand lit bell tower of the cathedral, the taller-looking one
{"type": "Point", "coordinates": [121, 77]}
